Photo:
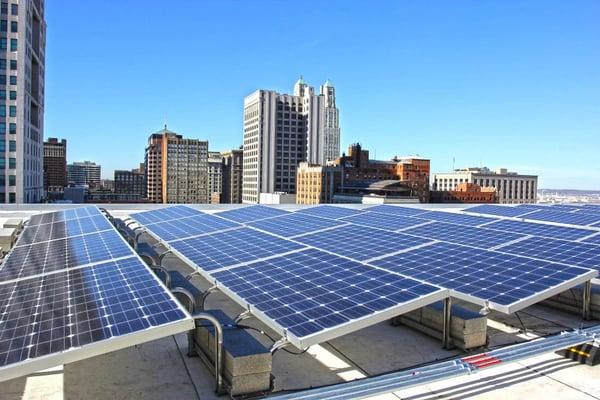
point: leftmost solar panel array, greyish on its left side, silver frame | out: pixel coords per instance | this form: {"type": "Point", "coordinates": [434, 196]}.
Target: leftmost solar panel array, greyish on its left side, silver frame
{"type": "Point", "coordinates": [71, 289]}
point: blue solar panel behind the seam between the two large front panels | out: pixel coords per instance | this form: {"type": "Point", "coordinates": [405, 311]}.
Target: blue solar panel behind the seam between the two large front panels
{"type": "Point", "coordinates": [359, 242]}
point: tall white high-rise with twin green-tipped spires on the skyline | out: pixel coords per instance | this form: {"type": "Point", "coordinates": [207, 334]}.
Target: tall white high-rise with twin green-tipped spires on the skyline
{"type": "Point", "coordinates": [282, 130]}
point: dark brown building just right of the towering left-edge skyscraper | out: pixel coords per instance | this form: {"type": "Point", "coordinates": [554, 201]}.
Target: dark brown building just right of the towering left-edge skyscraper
{"type": "Point", "coordinates": [55, 165]}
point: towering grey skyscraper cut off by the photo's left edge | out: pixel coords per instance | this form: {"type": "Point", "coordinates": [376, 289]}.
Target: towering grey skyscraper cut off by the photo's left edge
{"type": "Point", "coordinates": [22, 60]}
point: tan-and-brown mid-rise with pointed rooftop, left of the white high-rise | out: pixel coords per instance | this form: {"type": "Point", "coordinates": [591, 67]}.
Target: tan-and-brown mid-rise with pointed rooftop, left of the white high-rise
{"type": "Point", "coordinates": [176, 168]}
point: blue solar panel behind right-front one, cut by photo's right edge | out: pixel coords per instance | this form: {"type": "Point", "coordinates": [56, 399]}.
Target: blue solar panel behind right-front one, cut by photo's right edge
{"type": "Point", "coordinates": [573, 253]}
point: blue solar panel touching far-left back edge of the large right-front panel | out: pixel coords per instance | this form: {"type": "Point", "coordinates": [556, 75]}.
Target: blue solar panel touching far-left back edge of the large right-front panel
{"type": "Point", "coordinates": [460, 234]}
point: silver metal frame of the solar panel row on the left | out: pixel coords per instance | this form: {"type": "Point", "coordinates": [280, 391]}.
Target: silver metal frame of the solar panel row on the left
{"type": "Point", "coordinates": [104, 346]}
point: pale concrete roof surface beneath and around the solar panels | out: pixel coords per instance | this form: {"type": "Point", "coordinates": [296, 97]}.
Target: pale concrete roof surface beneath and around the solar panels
{"type": "Point", "coordinates": [161, 369]}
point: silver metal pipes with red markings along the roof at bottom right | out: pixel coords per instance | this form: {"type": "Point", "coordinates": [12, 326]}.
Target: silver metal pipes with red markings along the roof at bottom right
{"type": "Point", "coordinates": [367, 387]}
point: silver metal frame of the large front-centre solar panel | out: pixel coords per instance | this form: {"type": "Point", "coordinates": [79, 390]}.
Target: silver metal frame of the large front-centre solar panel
{"type": "Point", "coordinates": [342, 329]}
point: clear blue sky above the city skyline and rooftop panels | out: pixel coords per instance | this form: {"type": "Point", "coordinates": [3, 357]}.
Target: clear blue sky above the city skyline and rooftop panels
{"type": "Point", "coordinates": [511, 84]}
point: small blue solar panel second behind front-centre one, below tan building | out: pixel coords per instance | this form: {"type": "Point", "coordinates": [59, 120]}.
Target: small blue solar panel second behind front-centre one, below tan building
{"type": "Point", "coordinates": [293, 224]}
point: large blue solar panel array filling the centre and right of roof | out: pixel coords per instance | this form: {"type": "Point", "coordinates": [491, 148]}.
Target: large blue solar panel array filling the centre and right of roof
{"type": "Point", "coordinates": [275, 259]}
